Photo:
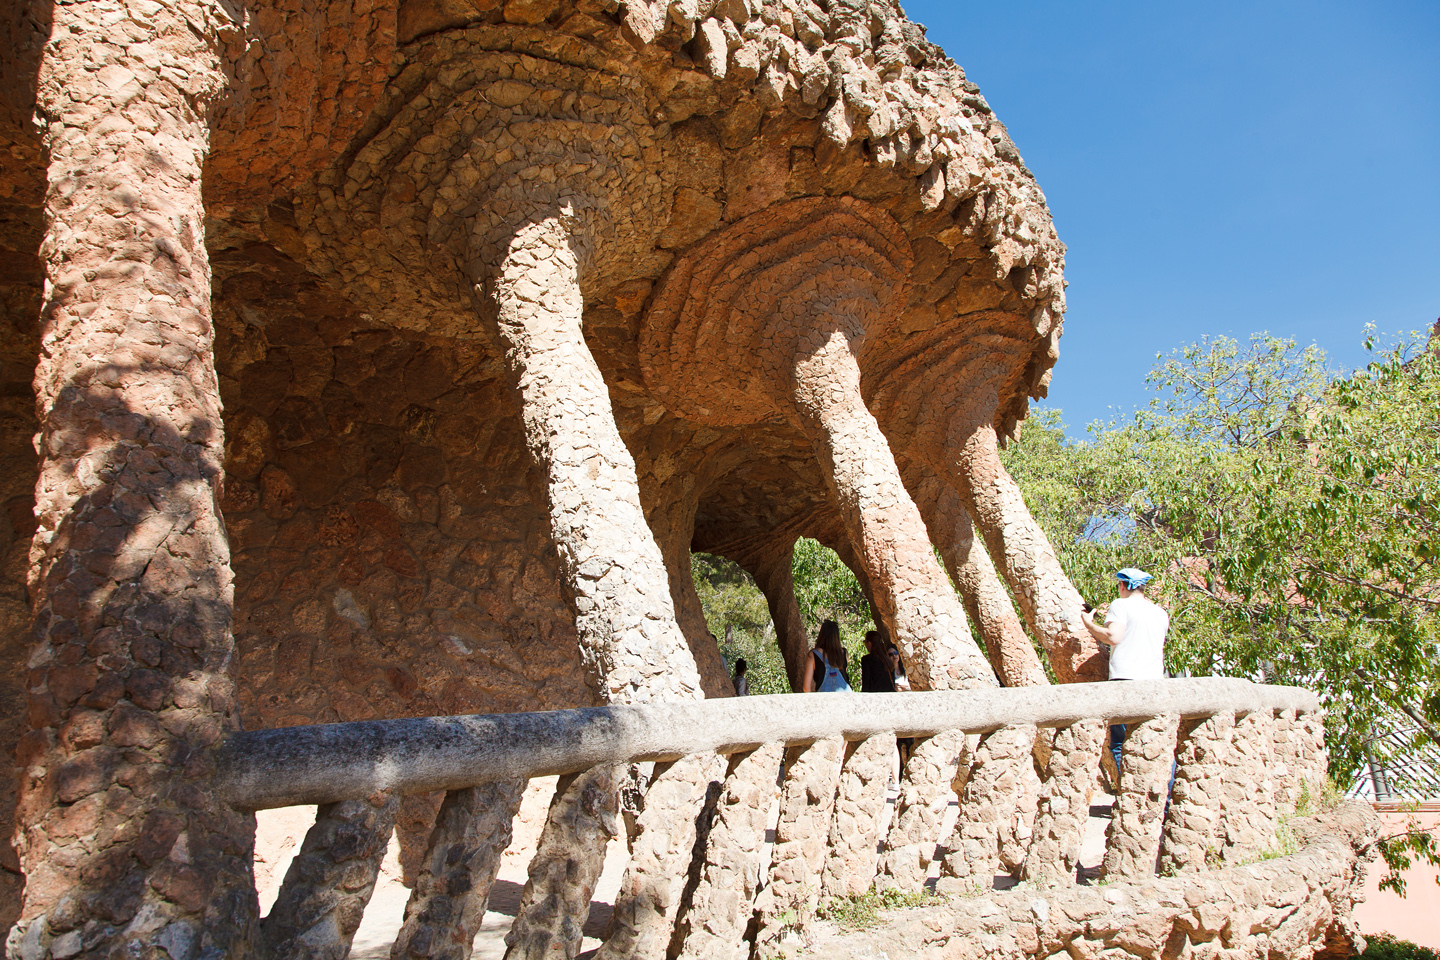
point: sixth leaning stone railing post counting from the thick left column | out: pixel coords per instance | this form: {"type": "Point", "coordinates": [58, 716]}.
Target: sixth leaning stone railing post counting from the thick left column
{"type": "Point", "coordinates": [801, 834]}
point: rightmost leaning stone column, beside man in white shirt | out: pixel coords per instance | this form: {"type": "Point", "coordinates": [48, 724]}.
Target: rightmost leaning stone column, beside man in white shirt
{"type": "Point", "coordinates": [1050, 602]}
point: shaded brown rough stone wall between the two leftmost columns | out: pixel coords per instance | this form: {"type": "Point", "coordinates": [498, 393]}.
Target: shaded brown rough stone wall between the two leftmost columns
{"type": "Point", "coordinates": [390, 556]}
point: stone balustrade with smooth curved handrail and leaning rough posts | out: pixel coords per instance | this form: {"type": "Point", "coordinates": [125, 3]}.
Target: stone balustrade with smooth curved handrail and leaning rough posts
{"type": "Point", "coordinates": [809, 768]}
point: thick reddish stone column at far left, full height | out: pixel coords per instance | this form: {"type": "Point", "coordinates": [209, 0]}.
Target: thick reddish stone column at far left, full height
{"type": "Point", "coordinates": [126, 847]}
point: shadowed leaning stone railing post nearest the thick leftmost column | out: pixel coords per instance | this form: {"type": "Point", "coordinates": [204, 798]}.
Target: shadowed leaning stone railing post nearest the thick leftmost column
{"type": "Point", "coordinates": [330, 882]}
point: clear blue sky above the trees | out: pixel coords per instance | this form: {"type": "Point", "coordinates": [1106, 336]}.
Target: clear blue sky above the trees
{"type": "Point", "coordinates": [1219, 169]}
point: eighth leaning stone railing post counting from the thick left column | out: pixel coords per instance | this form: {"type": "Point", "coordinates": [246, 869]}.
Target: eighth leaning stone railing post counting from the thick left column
{"type": "Point", "coordinates": [925, 792]}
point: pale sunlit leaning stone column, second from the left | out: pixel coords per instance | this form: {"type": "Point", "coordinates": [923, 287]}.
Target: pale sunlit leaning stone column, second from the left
{"type": "Point", "coordinates": [630, 641]}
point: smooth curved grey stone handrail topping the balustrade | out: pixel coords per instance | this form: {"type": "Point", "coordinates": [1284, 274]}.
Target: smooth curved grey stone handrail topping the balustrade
{"type": "Point", "coordinates": [328, 764]}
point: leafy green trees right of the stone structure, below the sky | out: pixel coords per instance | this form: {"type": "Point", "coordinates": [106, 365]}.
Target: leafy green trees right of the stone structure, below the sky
{"type": "Point", "coordinates": [1292, 516]}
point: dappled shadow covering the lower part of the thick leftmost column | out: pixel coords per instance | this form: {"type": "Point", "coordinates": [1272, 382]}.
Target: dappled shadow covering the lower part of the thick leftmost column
{"type": "Point", "coordinates": [132, 677]}
